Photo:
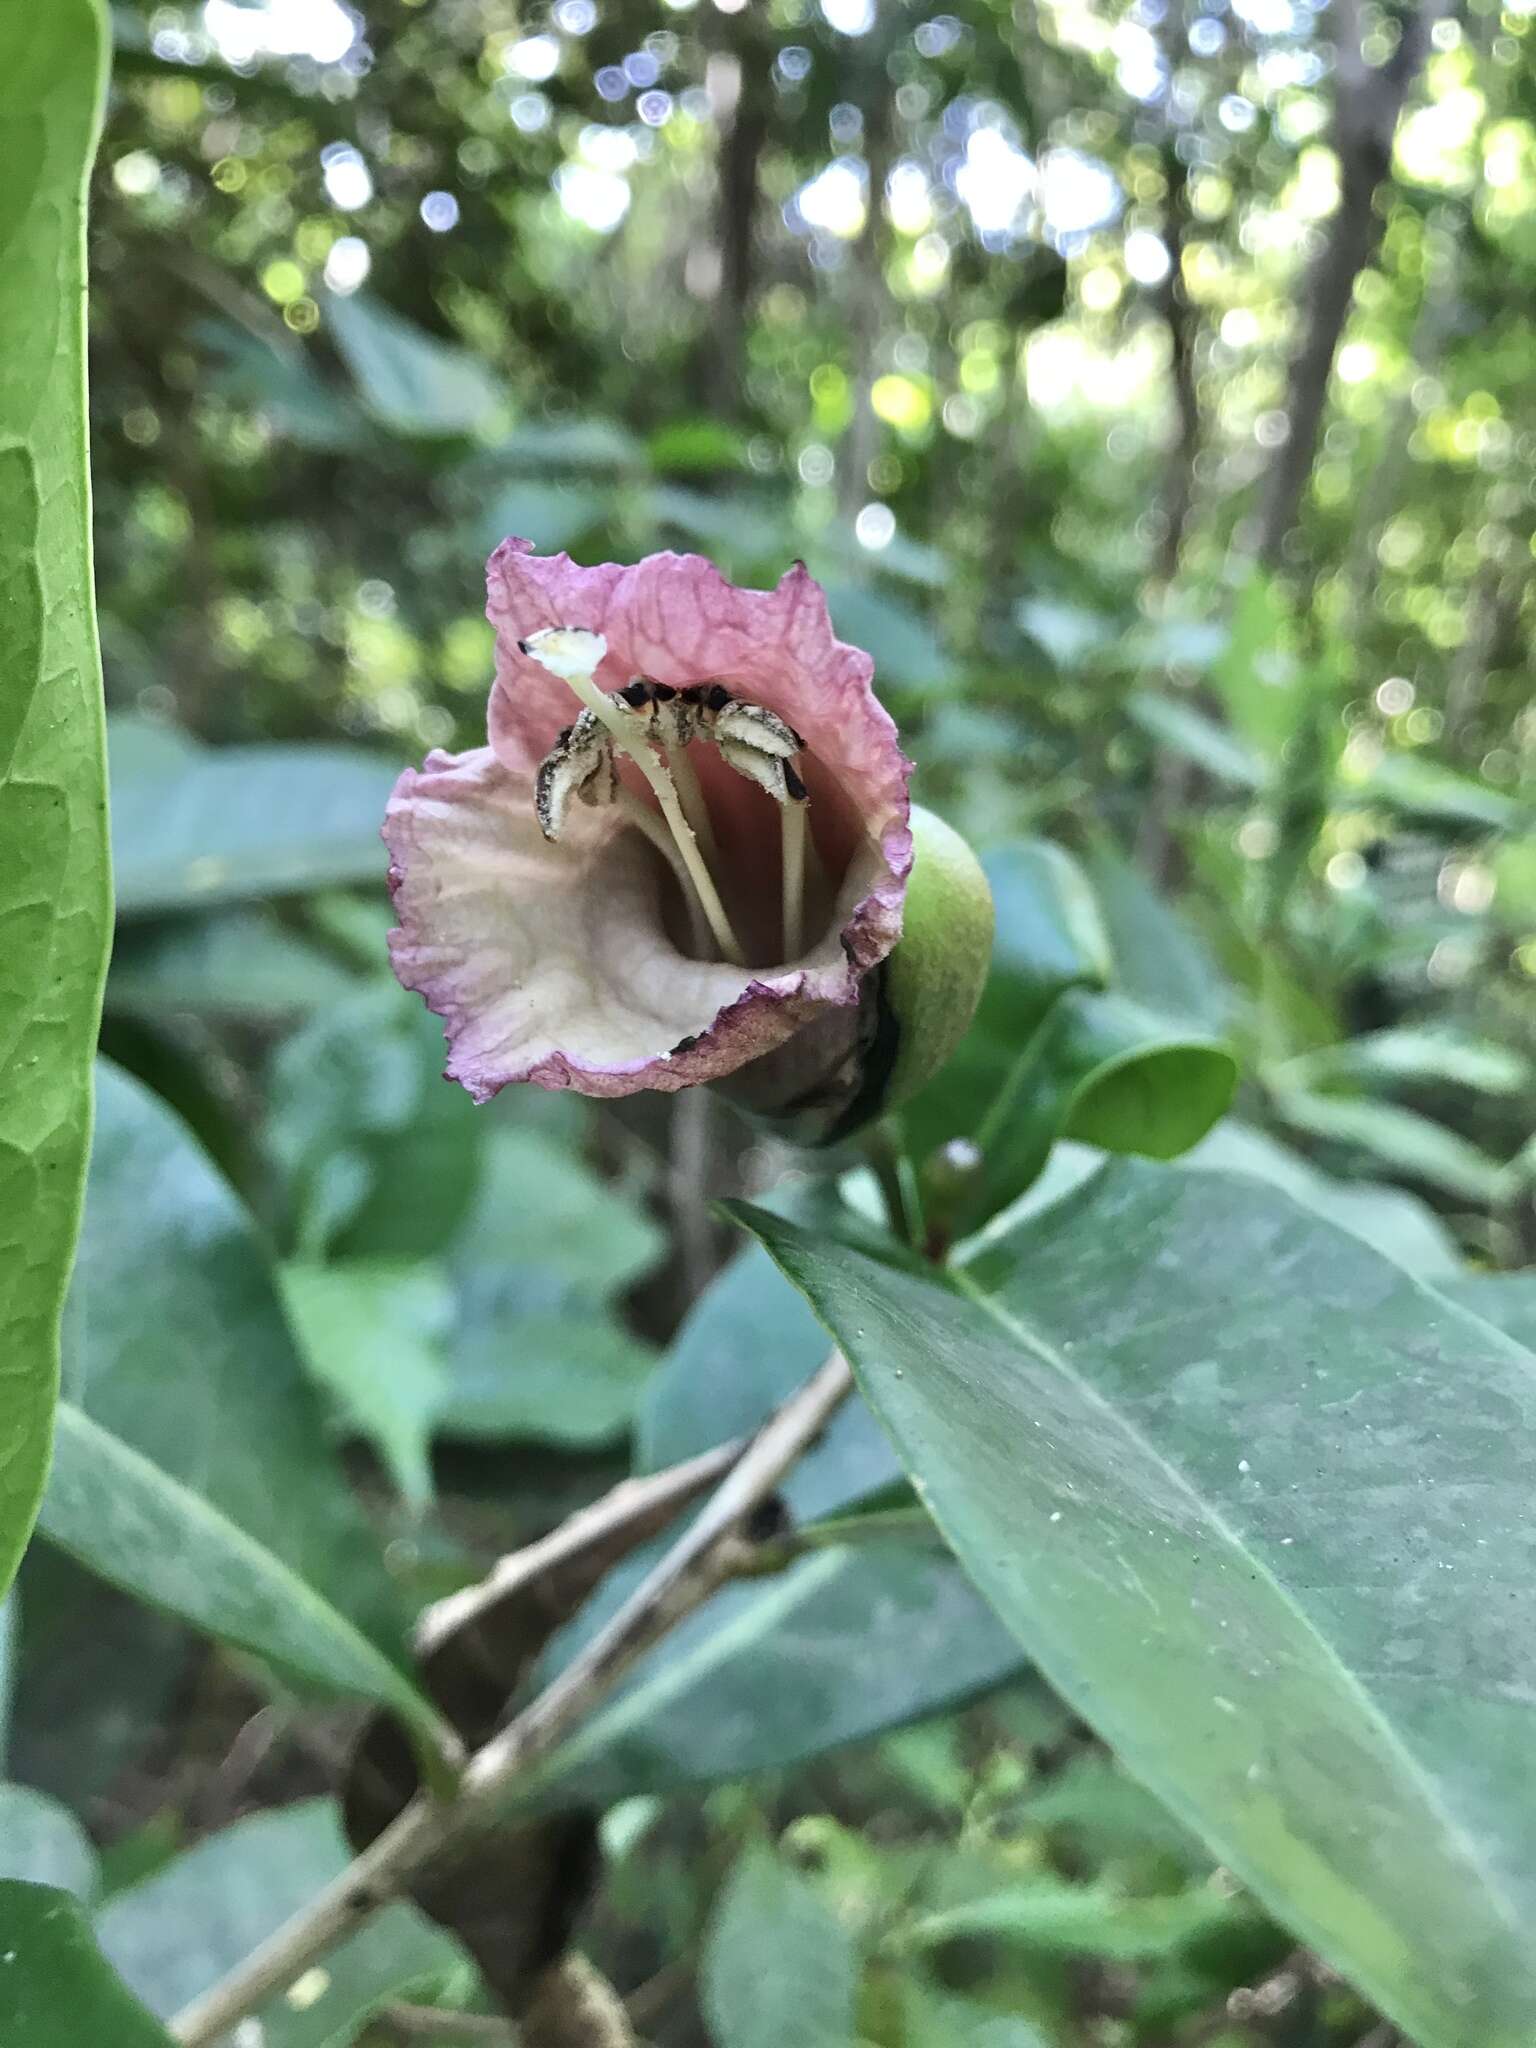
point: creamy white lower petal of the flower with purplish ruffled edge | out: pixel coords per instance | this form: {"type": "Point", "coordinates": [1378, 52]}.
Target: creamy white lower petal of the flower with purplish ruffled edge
{"type": "Point", "coordinates": [552, 964]}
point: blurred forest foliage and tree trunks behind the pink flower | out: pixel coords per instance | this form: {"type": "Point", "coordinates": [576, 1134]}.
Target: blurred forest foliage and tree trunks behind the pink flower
{"type": "Point", "coordinates": [1154, 388]}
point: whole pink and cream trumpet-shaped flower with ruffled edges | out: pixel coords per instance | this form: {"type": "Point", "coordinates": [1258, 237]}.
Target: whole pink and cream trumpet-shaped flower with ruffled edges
{"type": "Point", "coordinates": [581, 962]}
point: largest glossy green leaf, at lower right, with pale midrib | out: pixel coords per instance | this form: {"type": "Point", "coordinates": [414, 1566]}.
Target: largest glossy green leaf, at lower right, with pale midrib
{"type": "Point", "coordinates": [1261, 1508]}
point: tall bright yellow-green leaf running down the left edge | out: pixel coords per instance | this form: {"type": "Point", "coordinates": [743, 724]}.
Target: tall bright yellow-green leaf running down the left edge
{"type": "Point", "coordinates": [54, 873]}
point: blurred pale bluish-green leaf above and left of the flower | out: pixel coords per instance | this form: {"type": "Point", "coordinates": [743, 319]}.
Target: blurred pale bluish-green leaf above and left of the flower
{"type": "Point", "coordinates": [407, 378]}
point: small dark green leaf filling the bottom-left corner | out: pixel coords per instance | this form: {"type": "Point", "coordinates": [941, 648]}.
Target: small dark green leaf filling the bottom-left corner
{"type": "Point", "coordinates": [54, 1988]}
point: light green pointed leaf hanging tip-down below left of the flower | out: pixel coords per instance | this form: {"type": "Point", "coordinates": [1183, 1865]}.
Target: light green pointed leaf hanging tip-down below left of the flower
{"type": "Point", "coordinates": [374, 1334]}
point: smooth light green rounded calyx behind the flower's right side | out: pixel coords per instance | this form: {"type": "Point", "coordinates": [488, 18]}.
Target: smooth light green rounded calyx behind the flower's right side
{"type": "Point", "coordinates": [939, 968]}
